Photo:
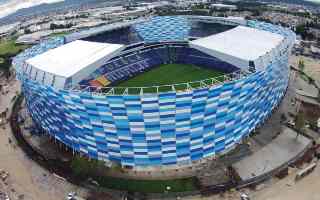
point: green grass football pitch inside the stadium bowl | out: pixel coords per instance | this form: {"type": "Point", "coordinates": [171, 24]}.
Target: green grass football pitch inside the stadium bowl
{"type": "Point", "coordinates": [168, 74]}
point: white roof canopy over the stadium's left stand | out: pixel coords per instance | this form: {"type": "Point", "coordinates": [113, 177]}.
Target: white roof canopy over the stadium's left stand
{"type": "Point", "coordinates": [75, 60]}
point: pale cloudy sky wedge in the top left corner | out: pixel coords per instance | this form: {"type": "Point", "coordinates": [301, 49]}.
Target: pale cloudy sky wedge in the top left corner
{"type": "Point", "coordinates": [10, 6]}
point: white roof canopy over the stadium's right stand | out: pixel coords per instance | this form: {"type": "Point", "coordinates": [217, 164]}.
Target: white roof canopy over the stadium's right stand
{"type": "Point", "coordinates": [239, 45]}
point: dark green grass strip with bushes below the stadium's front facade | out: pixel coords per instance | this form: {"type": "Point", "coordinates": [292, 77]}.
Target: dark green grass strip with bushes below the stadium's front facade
{"type": "Point", "coordinates": [83, 169]}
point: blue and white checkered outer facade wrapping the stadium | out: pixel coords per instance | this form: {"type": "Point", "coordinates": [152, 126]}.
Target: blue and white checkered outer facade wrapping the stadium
{"type": "Point", "coordinates": [157, 129]}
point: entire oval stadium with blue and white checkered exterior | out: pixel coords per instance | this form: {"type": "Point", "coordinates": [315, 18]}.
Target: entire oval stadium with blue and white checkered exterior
{"type": "Point", "coordinates": [159, 91]}
